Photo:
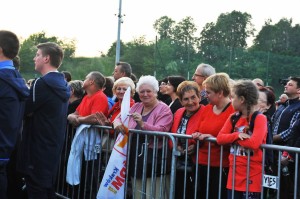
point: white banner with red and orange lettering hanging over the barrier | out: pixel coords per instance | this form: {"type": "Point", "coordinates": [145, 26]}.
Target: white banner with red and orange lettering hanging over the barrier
{"type": "Point", "coordinates": [113, 181]}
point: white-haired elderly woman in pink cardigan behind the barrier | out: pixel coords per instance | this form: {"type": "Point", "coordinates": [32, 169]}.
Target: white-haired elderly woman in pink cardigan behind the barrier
{"type": "Point", "coordinates": [152, 115]}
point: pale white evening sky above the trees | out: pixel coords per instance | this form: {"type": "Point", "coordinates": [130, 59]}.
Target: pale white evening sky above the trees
{"type": "Point", "coordinates": [93, 24]}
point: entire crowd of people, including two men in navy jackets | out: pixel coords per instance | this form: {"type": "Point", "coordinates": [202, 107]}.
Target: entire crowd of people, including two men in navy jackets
{"type": "Point", "coordinates": [240, 114]}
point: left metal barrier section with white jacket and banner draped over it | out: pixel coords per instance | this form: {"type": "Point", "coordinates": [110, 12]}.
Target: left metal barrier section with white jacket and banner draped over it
{"type": "Point", "coordinates": [158, 167]}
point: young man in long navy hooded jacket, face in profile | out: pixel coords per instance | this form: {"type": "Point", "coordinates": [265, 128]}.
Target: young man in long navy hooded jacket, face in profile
{"type": "Point", "coordinates": [45, 123]}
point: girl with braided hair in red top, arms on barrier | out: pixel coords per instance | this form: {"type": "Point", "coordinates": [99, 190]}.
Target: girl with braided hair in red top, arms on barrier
{"type": "Point", "coordinates": [245, 141]}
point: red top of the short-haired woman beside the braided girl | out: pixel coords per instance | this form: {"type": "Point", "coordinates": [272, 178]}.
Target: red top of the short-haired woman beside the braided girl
{"type": "Point", "coordinates": [210, 123]}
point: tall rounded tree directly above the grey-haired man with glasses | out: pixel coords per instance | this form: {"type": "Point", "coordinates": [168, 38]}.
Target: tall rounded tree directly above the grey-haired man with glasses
{"type": "Point", "coordinates": [218, 41]}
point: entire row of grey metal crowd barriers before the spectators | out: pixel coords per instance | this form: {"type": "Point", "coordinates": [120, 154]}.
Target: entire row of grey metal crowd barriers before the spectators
{"type": "Point", "coordinates": [156, 177]}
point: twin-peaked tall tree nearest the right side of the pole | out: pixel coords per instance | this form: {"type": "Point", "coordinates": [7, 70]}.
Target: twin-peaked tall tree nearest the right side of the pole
{"type": "Point", "coordinates": [175, 49]}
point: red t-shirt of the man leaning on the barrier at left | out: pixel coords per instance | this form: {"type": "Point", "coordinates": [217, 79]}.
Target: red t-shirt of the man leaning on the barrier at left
{"type": "Point", "coordinates": [92, 104]}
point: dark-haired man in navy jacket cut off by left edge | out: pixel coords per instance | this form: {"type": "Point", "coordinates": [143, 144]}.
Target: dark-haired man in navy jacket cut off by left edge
{"type": "Point", "coordinates": [13, 92]}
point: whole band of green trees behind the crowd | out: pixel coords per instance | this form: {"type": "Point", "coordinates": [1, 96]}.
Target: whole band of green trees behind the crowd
{"type": "Point", "coordinates": [177, 50]}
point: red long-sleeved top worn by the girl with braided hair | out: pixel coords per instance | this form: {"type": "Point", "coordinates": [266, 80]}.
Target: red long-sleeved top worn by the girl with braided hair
{"type": "Point", "coordinates": [257, 138]}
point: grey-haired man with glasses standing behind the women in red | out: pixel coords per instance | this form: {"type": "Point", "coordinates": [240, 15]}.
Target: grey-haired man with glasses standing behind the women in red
{"type": "Point", "coordinates": [202, 72]}
